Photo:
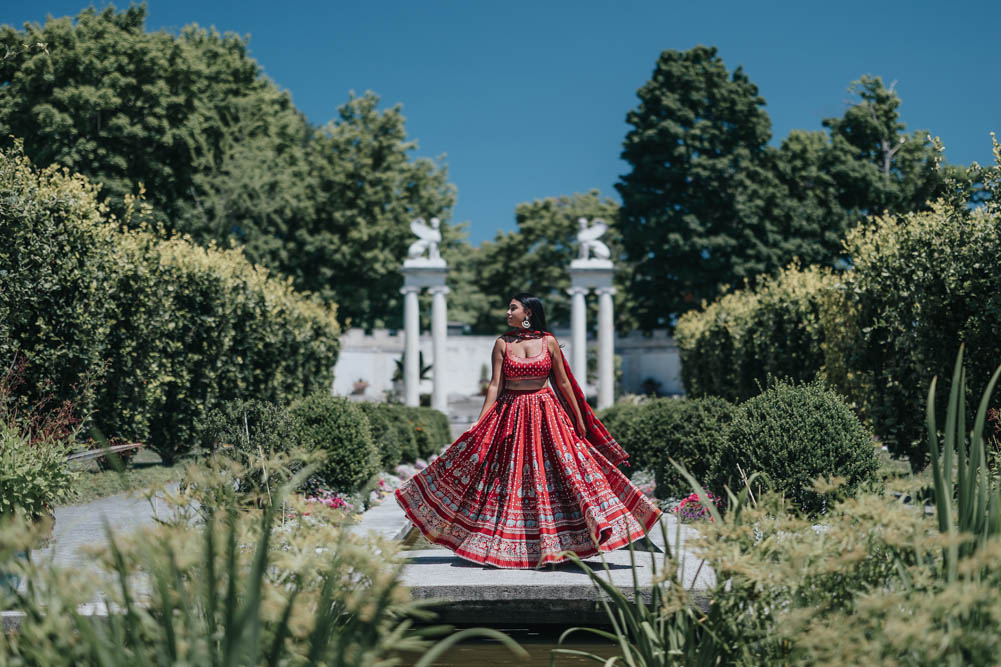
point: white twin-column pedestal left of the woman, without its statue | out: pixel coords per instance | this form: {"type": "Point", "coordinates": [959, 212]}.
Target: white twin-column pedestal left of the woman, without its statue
{"type": "Point", "coordinates": [419, 274]}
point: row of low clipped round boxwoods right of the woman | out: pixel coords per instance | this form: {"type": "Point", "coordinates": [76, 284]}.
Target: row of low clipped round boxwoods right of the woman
{"type": "Point", "coordinates": [791, 434]}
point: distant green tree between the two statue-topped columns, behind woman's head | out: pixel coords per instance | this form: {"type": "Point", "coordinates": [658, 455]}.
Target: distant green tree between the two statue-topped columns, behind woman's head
{"type": "Point", "coordinates": [536, 257]}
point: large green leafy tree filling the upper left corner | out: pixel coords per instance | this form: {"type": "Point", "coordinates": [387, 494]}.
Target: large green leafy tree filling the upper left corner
{"type": "Point", "coordinates": [120, 105]}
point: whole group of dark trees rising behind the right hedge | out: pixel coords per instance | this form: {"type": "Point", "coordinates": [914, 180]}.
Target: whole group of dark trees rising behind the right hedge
{"type": "Point", "coordinates": [708, 204]}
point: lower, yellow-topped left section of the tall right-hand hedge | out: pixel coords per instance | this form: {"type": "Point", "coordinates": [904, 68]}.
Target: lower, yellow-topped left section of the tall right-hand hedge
{"type": "Point", "coordinates": [791, 326]}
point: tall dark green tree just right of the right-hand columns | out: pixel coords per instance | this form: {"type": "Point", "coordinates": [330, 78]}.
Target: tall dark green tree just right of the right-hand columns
{"type": "Point", "coordinates": [693, 203]}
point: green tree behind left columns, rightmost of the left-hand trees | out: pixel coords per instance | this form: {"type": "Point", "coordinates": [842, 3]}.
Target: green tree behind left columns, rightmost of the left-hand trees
{"type": "Point", "coordinates": [367, 193]}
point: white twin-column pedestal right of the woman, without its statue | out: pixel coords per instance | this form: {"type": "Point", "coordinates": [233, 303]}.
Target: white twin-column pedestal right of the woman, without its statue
{"type": "Point", "coordinates": [587, 275]}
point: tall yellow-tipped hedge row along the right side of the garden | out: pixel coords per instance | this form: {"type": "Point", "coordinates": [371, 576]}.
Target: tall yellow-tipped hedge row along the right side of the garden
{"type": "Point", "coordinates": [877, 334]}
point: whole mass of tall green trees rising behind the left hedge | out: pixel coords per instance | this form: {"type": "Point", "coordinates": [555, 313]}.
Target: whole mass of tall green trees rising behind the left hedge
{"type": "Point", "coordinates": [223, 154]}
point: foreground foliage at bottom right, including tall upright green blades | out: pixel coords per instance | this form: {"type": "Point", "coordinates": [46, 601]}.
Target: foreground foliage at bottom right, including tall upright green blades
{"type": "Point", "coordinates": [877, 581]}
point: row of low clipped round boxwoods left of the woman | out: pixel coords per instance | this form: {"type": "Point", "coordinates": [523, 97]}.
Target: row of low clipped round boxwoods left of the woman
{"type": "Point", "coordinates": [356, 441]}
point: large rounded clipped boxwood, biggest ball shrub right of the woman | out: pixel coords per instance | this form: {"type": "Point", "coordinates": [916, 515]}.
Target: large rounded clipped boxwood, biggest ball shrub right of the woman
{"type": "Point", "coordinates": [793, 435]}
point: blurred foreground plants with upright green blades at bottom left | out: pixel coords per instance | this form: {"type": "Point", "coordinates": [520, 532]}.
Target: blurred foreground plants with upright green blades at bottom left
{"type": "Point", "coordinates": [258, 588]}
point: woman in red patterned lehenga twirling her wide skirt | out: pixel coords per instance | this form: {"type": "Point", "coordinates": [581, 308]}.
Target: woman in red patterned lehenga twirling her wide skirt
{"type": "Point", "coordinates": [536, 476]}
